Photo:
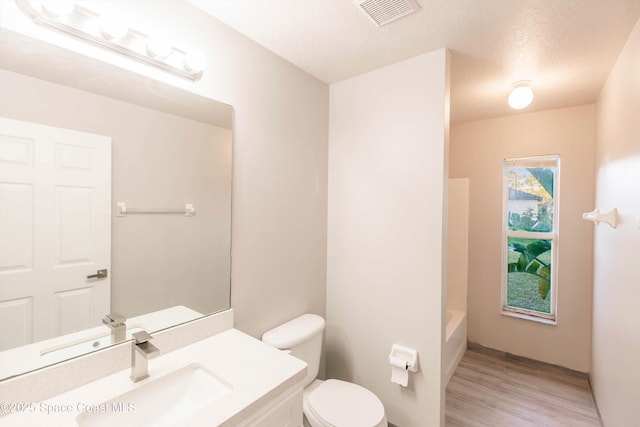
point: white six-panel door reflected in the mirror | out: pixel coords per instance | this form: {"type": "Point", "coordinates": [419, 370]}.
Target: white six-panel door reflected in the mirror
{"type": "Point", "coordinates": [55, 230]}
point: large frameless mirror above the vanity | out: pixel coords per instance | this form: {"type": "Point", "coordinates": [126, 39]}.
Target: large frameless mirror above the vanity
{"type": "Point", "coordinates": [169, 148]}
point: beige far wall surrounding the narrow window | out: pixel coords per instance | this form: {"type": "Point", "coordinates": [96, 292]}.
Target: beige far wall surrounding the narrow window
{"type": "Point", "coordinates": [478, 149]}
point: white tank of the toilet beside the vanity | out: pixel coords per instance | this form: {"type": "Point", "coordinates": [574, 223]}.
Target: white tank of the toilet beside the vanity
{"type": "Point", "coordinates": [303, 336]}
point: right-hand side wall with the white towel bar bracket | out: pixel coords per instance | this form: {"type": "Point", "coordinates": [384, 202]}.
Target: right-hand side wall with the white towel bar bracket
{"type": "Point", "coordinates": [616, 318]}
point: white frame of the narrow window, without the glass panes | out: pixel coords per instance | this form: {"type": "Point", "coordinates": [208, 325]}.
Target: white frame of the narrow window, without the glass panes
{"type": "Point", "coordinates": [553, 236]}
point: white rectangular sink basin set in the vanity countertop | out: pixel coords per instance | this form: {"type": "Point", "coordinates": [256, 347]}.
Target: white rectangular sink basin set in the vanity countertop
{"type": "Point", "coordinates": [161, 402]}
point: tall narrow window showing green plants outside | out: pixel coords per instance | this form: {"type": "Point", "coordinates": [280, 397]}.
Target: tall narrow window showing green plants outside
{"type": "Point", "coordinates": [530, 237]}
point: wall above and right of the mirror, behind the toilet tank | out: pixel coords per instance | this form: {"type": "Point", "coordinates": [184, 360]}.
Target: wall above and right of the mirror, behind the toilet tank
{"type": "Point", "coordinates": [280, 155]}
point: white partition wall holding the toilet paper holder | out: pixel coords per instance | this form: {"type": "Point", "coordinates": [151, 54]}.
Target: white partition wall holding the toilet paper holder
{"type": "Point", "coordinates": [388, 149]}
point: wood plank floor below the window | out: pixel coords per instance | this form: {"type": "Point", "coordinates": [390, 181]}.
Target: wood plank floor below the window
{"type": "Point", "coordinates": [490, 388]}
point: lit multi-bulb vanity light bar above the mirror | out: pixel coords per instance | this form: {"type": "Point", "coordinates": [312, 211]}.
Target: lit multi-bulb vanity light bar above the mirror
{"type": "Point", "coordinates": [78, 19]}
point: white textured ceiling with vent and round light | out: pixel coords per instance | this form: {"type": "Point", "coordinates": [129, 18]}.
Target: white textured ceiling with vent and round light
{"type": "Point", "coordinates": [565, 47]}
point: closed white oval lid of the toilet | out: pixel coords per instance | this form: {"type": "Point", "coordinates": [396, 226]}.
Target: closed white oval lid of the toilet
{"type": "Point", "coordinates": [344, 404]}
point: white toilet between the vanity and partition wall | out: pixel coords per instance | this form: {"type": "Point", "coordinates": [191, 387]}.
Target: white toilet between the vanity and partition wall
{"type": "Point", "coordinates": [330, 403]}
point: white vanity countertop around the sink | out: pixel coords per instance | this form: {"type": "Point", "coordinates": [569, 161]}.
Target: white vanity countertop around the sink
{"type": "Point", "coordinates": [256, 371]}
